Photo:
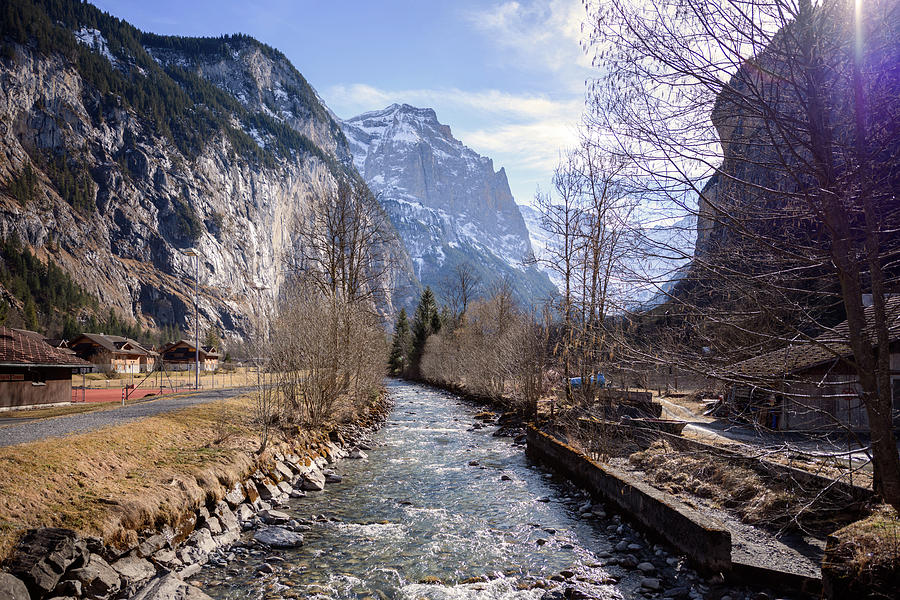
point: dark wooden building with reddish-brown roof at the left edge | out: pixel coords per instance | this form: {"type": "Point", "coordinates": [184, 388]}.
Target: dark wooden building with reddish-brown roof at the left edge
{"type": "Point", "coordinates": [34, 373]}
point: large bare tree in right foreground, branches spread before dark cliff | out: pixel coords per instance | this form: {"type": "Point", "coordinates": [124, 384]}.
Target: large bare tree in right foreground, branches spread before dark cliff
{"type": "Point", "coordinates": [796, 175]}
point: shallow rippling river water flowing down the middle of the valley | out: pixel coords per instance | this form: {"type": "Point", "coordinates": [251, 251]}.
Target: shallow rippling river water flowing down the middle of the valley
{"type": "Point", "coordinates": [436, 505]}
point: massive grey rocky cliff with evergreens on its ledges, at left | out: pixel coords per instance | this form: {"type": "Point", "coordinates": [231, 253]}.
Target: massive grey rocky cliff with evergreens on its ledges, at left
{"type": "Point", "coordinates": [172, 143]}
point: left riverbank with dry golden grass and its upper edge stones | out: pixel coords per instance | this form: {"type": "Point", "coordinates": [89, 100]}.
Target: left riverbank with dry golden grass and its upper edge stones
{"type": "Point", "coordinates": [117, 487]}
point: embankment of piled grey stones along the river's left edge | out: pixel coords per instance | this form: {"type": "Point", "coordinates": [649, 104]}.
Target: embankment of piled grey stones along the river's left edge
{"type": "Point", "coordinates": [58, 564]}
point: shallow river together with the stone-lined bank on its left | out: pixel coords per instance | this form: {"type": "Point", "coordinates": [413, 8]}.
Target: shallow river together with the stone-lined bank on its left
{"type": "Point", "coordinates": [439, 504]}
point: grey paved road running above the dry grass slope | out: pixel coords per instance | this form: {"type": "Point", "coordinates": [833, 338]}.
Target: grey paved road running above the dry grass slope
{"type": "Point", "coordinates": [38, 429]}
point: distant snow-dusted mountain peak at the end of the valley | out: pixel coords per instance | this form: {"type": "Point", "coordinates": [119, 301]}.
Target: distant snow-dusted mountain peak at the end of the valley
{"type": "Point", "coordinates": [444, 199]}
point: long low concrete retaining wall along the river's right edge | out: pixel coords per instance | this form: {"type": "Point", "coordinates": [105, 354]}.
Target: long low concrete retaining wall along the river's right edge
{"type": "Point", "coordinates": [701, 538]}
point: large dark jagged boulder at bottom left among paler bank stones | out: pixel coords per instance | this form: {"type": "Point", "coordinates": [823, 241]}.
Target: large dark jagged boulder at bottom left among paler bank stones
{"type": "Point", "coordinates": [43, 555]}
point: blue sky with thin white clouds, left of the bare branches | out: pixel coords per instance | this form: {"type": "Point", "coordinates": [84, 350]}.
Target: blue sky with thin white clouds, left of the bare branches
{"type": "Point", "coordinates": [508, 77]}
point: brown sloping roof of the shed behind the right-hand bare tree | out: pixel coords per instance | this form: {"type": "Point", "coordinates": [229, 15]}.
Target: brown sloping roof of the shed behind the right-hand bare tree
{"type": "Point", "coordinates": [825, 348]}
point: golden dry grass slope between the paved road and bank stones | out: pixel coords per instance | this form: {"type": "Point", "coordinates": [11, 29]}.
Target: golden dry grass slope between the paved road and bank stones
{"type": "Point", "coordinates": [119, 480]}
